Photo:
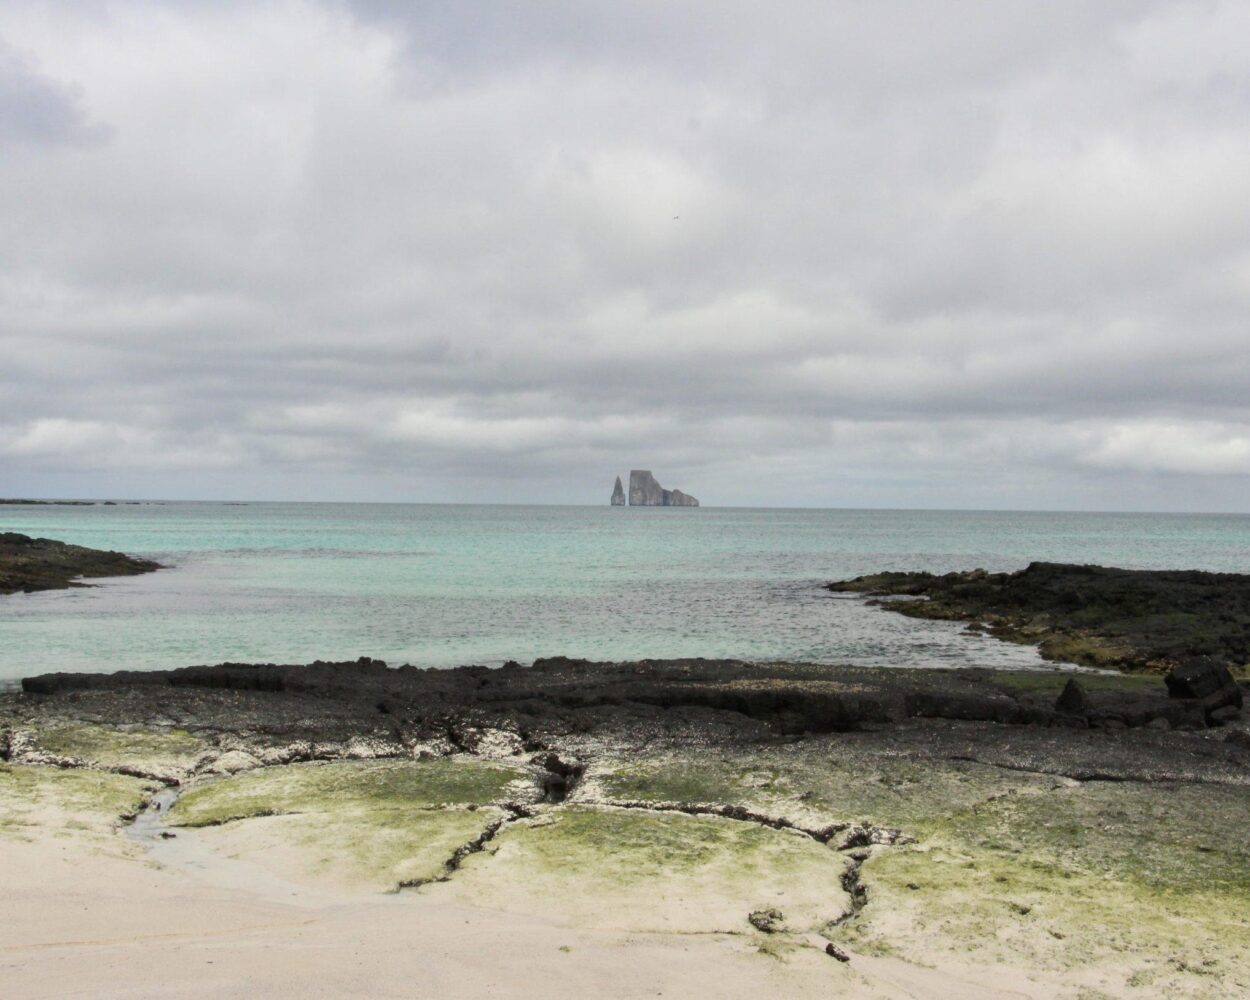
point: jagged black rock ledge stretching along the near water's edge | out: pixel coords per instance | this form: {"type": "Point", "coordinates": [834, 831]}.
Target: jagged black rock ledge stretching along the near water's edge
{"type": "Point", "coordinates": [337, 702]}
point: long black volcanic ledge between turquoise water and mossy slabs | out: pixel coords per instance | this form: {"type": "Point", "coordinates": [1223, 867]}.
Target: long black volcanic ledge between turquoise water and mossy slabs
{"type": "Point", "coordinates": [784, 699]}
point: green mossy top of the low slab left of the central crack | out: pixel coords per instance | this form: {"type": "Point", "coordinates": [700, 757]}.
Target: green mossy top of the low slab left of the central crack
{"type": "Point", "coordinates": [354, 784]}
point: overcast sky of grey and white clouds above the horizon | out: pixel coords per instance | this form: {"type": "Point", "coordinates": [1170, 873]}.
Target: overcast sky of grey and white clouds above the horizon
{"type": "Point", "coordinates": [828, 254]}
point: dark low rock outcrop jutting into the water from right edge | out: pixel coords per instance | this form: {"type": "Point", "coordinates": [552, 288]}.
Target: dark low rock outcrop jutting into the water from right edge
{"type": "Point", "coordinates": [1131, 619]}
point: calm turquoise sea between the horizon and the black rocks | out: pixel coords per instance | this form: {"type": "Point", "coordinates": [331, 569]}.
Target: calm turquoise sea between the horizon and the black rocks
{"type": "Point", "coordinates": [441, 586]}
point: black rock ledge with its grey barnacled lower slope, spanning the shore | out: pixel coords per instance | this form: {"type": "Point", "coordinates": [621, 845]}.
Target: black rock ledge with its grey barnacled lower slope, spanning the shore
{"type": "Point", "coordinates": [562, 713]}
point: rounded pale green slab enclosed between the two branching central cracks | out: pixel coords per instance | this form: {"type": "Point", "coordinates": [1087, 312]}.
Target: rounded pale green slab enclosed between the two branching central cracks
{"type": "Point", "coordinates": [643, 871]}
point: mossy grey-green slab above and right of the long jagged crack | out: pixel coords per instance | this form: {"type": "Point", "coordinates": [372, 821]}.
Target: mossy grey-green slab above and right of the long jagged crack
{"type": "Point", "coordinates": [1146, 884]}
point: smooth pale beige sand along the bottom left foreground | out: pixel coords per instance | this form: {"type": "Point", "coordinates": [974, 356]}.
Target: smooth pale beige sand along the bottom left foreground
{"type": "Point", "coordinates": [88, 916]}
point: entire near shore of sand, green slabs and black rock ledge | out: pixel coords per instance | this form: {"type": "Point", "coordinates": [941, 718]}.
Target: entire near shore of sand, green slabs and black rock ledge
{"type": "Point", "coordinates": [654, 827]}
